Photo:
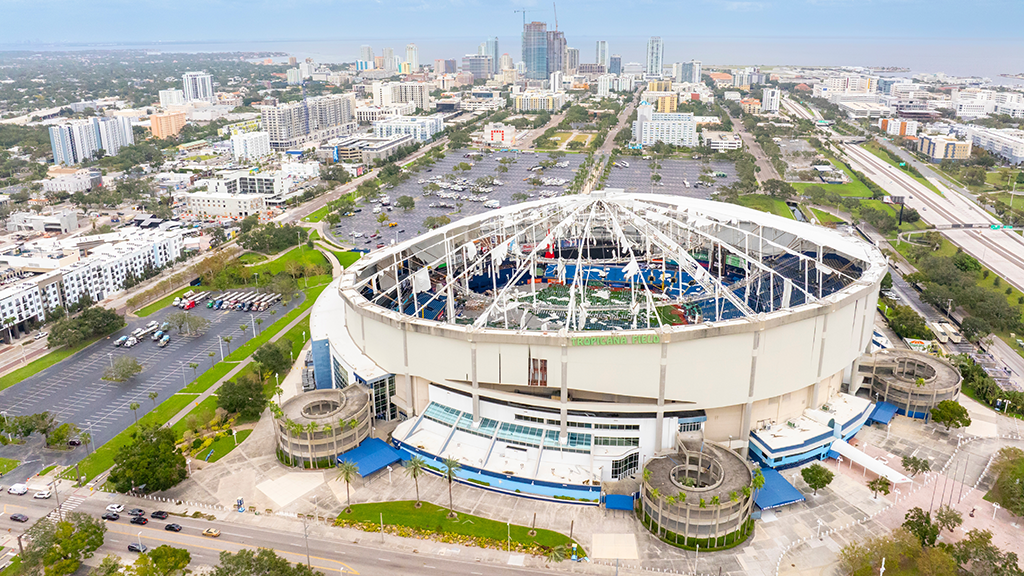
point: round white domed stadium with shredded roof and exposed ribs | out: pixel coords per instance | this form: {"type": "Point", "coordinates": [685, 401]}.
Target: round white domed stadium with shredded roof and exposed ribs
{"type": "Point", "coordinates": [559, 345]}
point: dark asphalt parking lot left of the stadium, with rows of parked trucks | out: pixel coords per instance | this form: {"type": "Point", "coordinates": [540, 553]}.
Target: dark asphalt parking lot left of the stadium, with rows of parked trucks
{"type": "Point", "coordinates": [75, 392]}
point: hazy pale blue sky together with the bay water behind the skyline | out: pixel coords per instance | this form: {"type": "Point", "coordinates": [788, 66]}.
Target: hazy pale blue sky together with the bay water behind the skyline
{"type": "Point", "coordinates": [767, 32]}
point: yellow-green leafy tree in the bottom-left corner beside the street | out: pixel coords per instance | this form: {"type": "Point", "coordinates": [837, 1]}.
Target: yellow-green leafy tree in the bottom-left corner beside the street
{"type": "Point", "coordinates": [58, 549]}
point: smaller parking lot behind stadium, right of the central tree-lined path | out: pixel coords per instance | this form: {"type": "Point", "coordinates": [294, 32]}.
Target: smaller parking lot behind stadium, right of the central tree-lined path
{"type": "Point", "coordinates": [675, 175]}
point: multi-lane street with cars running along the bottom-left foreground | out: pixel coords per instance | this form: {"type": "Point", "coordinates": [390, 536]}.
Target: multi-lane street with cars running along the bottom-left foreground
{"type": "Point", "coordinates": [329, 550]}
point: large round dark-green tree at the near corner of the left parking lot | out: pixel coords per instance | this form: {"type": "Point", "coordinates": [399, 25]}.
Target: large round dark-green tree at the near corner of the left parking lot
{"type": "Point", "coordinates": [149, 463]}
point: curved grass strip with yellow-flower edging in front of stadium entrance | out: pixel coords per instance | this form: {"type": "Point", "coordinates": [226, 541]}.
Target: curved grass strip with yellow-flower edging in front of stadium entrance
{"type": "Point", "coordinates": [431, 517]}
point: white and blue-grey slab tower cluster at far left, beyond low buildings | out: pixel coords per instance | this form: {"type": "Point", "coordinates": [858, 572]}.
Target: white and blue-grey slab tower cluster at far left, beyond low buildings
{"type": "Point", "coordinates": [80, 140]}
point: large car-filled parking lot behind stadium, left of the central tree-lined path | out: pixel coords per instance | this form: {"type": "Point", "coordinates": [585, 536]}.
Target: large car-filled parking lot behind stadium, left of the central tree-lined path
{"type": "Point", "coordinates": [515, 182]}
